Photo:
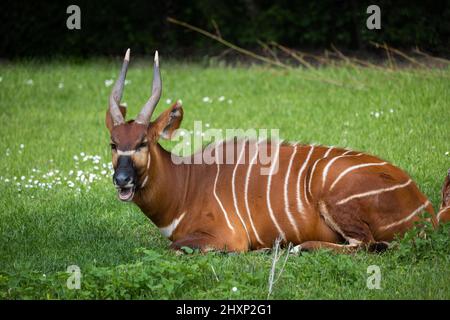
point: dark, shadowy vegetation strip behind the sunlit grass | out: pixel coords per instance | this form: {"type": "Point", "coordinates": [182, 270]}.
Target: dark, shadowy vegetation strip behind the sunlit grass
{"type": "Point", "coordinates": [38, 28]}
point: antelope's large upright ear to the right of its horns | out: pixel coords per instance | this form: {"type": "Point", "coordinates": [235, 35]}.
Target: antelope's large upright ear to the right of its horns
{"type": "Point", "coordinates": [167, 122]}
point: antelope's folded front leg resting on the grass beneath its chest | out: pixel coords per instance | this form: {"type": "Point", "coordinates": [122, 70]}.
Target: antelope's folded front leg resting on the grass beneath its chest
{"type": "Point", "coordinates": [204, 242]}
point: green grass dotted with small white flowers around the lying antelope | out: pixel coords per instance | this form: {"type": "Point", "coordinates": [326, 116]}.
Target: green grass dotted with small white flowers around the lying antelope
{"type": "Point", "coordinates": [43, 231]}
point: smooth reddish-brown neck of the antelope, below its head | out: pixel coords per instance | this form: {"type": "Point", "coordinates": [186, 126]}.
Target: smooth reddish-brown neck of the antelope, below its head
{"type": "Point", "coordinates": [163, 196]}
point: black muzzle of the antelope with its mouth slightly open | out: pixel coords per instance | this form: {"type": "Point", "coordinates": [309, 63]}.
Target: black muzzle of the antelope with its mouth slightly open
{"type": "Point", "coordinates": [125, 178]}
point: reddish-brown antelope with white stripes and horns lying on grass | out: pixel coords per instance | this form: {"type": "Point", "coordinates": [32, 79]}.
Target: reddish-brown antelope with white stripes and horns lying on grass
{"type": "Point", "coordinates": [319, 197]}
